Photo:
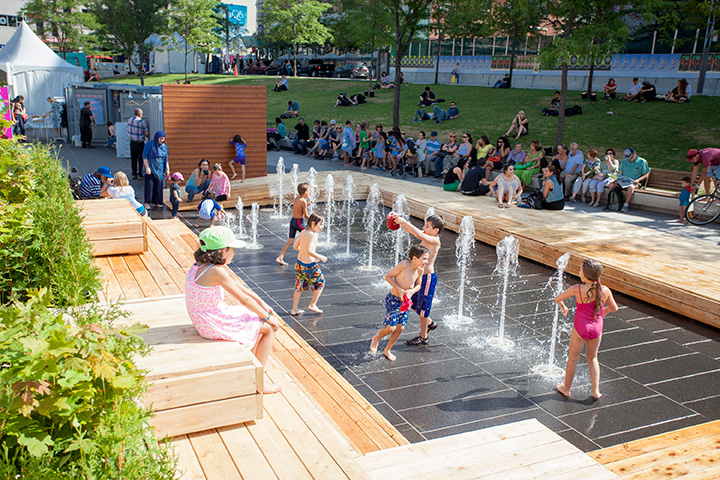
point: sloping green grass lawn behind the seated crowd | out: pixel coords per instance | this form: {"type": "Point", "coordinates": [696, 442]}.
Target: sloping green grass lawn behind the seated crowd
{"type": "Point", "coordinates": [660, 132]}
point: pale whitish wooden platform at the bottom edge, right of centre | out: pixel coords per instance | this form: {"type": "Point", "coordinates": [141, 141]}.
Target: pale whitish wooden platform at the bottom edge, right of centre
{"type": "Point", "coordinates": [522, 450]}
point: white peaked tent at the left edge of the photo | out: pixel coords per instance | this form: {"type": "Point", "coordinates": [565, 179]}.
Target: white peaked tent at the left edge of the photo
{"type": "Point", "coordinates": [34, 71]}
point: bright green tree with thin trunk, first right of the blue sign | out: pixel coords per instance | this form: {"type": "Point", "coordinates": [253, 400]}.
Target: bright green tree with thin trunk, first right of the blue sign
{"type": "Point", "coordinates": [295, 22]}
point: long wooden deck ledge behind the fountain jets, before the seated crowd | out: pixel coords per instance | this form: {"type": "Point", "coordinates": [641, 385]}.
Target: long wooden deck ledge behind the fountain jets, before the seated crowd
{"type": "Point", "coordinates": [640, 262]}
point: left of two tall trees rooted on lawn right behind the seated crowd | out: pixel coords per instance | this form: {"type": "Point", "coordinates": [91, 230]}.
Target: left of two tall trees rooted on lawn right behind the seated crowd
{"type": "Point", "coordinates": [407, 19]}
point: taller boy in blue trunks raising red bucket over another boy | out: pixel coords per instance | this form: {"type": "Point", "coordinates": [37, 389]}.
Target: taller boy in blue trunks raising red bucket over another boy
{"type": "Point", "coordinates": [429, 238]}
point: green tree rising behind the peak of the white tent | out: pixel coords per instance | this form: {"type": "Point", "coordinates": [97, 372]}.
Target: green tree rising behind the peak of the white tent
{"type": "Point", "coordinates": [61, 19]}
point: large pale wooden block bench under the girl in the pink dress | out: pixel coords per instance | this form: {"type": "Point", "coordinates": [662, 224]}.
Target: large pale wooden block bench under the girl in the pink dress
{"type": "Point", "coordinates": [195, 384]}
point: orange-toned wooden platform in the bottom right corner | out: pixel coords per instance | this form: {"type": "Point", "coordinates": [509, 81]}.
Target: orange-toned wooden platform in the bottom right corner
{"type": "Point", "coordinates": [691, 453]}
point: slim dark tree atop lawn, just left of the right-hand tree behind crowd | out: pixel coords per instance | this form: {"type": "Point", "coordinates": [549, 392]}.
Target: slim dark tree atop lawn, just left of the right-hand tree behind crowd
{"type": "Point", "coordinates": [516, 19]}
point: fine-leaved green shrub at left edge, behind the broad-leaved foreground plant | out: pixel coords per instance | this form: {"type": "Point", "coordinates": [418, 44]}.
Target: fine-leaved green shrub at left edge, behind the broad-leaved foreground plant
{"type": "Point", "coordinates": [42, 242]}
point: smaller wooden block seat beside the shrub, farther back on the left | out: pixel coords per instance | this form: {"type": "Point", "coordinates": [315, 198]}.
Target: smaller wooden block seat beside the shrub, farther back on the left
{"type": "Point", "coordinates": [113, 226]}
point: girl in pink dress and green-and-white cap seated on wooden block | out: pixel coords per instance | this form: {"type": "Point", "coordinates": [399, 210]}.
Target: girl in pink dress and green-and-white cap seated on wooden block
{"type": "Point", "coordinates": [252, 324]}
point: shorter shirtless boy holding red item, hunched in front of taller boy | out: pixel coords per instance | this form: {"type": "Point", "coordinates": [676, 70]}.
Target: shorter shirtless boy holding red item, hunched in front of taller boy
{"type": "Point", "coordinates": [405, 280]}
